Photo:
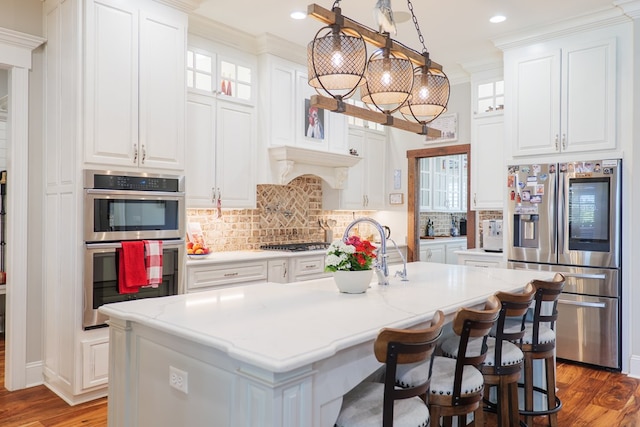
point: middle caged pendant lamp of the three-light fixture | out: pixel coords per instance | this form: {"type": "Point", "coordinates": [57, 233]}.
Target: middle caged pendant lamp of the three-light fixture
{"type": "Point", "coordinates": [389, 80]}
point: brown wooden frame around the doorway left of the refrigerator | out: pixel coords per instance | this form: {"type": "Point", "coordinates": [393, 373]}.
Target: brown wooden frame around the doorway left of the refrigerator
{"type": "Point", "coordinates": [413, 156]}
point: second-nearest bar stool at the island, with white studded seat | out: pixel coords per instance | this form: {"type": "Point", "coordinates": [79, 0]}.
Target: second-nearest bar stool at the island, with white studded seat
{"type": "Point", "coordinates": [457, 384]}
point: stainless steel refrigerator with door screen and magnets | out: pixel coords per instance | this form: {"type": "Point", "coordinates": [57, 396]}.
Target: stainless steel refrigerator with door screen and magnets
{"type": "Point", "coordinates": [566, 217]}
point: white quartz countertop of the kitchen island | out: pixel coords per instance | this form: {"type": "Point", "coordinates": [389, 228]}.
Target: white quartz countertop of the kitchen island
{"type": "Point", "coordinates": [281, 327]}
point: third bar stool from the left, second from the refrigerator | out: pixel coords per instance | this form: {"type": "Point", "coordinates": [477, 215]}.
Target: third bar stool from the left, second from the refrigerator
{"type": "Point", "coordinates": [505, 359]}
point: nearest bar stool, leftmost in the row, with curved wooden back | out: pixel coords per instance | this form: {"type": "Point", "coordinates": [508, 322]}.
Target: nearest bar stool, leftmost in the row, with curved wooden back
{"type": "Point", "coordinates": [371, 403]}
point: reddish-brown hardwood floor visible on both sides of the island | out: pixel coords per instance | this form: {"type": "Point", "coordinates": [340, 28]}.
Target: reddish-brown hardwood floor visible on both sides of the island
{"type": "Point", "coordinates": [590, 397]}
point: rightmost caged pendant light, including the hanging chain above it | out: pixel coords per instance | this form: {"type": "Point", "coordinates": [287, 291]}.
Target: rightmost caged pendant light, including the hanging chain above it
{"type": "Point", "coordinates": [431, 88]}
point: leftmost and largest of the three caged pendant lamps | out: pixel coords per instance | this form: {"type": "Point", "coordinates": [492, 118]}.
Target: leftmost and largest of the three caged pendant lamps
{"type": "Point", "coordinates": [336, 60]}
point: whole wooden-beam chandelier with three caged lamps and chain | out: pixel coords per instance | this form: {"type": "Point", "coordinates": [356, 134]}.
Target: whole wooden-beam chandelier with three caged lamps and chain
{"type": "Point", "coordinates": [336, 69]}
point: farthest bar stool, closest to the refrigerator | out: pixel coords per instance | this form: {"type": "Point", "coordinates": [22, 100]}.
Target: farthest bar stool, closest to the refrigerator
{"type": "Point", "coordinates": [539, 343]}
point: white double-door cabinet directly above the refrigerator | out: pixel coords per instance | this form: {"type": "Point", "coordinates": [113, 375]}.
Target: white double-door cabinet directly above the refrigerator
{"type": "Point", "coordinates": [561, 96]}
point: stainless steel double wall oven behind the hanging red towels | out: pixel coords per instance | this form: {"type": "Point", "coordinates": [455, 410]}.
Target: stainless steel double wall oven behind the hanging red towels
{"type": "Point", "coordinates": [124, 206]}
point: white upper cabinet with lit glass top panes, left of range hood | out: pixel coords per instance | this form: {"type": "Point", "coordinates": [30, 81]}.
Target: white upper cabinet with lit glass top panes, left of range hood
{"type": "Point", "coordinates": [221, 131]}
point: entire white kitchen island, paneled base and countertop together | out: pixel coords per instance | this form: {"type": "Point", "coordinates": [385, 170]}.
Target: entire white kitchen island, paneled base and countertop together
{"type": "Point", "coordinates": [278, 355]}
